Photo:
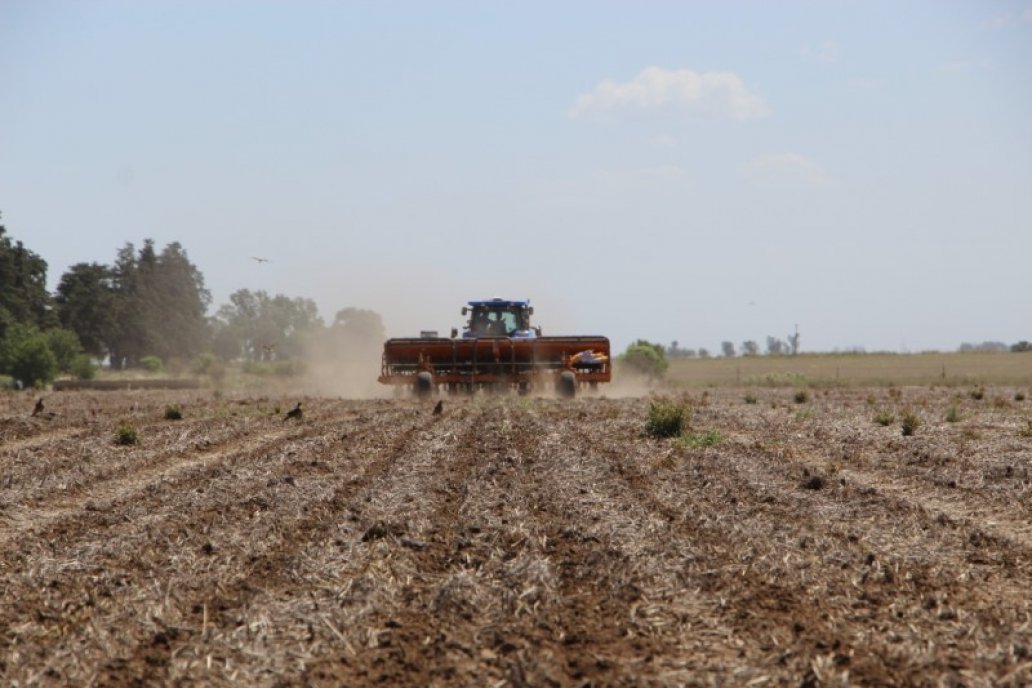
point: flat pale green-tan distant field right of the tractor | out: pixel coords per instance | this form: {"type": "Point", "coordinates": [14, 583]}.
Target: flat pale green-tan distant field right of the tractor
{"type": "Point", "coordinates": [856, 370]}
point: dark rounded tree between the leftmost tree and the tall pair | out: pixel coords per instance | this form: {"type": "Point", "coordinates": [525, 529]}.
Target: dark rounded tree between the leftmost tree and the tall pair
{"type": "Point", "coordinates": [87, 305]}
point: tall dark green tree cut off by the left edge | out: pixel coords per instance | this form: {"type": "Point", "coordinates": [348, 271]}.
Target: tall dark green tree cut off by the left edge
{"type": "Point", "coordinates": [23, 285]}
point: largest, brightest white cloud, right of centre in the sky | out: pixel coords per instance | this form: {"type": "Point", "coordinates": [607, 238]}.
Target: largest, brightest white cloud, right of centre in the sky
{"type": "Point", "coordinates": [713, 93]}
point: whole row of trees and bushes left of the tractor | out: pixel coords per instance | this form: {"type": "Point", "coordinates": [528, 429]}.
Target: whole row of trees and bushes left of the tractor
{"type": "Point", "coordinates": [146, 309]}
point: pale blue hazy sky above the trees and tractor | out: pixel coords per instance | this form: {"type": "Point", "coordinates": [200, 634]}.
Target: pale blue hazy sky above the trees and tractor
{"type": "Point", "coordinates": [691, 172]}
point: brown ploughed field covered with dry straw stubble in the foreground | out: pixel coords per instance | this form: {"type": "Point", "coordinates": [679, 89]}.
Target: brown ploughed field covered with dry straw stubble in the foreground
{"type": "Point", "coordinates": [519, 542]}
